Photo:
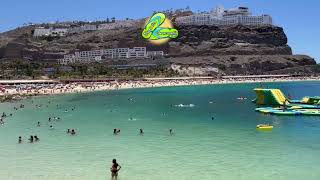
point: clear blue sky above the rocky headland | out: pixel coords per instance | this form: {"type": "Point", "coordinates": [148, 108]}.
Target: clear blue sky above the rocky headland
{"type": "Point", "coordinates": [300, 19]}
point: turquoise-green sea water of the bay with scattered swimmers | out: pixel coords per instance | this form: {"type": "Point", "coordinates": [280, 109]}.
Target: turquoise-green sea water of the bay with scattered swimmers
{"type": "Point", "coordinates": [228, 147]}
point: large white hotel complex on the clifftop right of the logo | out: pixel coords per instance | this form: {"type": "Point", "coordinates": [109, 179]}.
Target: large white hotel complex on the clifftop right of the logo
{"type": "Point", "coordinates": [221, 17]}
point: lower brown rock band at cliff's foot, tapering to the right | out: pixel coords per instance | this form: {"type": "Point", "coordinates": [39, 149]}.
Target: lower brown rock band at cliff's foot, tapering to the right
{"type": "Point", "coordinates": [246, 64]}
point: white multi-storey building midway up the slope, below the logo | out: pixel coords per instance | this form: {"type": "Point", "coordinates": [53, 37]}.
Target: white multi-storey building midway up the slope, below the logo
{"type": "Point", "coordinates": [118, 53]}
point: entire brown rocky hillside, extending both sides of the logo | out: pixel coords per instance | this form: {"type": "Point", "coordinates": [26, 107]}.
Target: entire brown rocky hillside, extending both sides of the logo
{"type": "Point", "coordinates": [233, 50]}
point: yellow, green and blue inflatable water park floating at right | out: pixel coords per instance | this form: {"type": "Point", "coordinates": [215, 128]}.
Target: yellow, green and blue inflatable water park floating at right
{"type": "Point", "coordinates": [273, 101]}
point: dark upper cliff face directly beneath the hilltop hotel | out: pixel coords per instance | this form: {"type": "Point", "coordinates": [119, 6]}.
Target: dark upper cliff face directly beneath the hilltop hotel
{"type": "Point", "coordinates": [236, 40]}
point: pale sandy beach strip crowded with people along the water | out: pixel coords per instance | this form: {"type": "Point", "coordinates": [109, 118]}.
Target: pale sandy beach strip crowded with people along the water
{"type": "Point", "coordinates": [19, 92]}
